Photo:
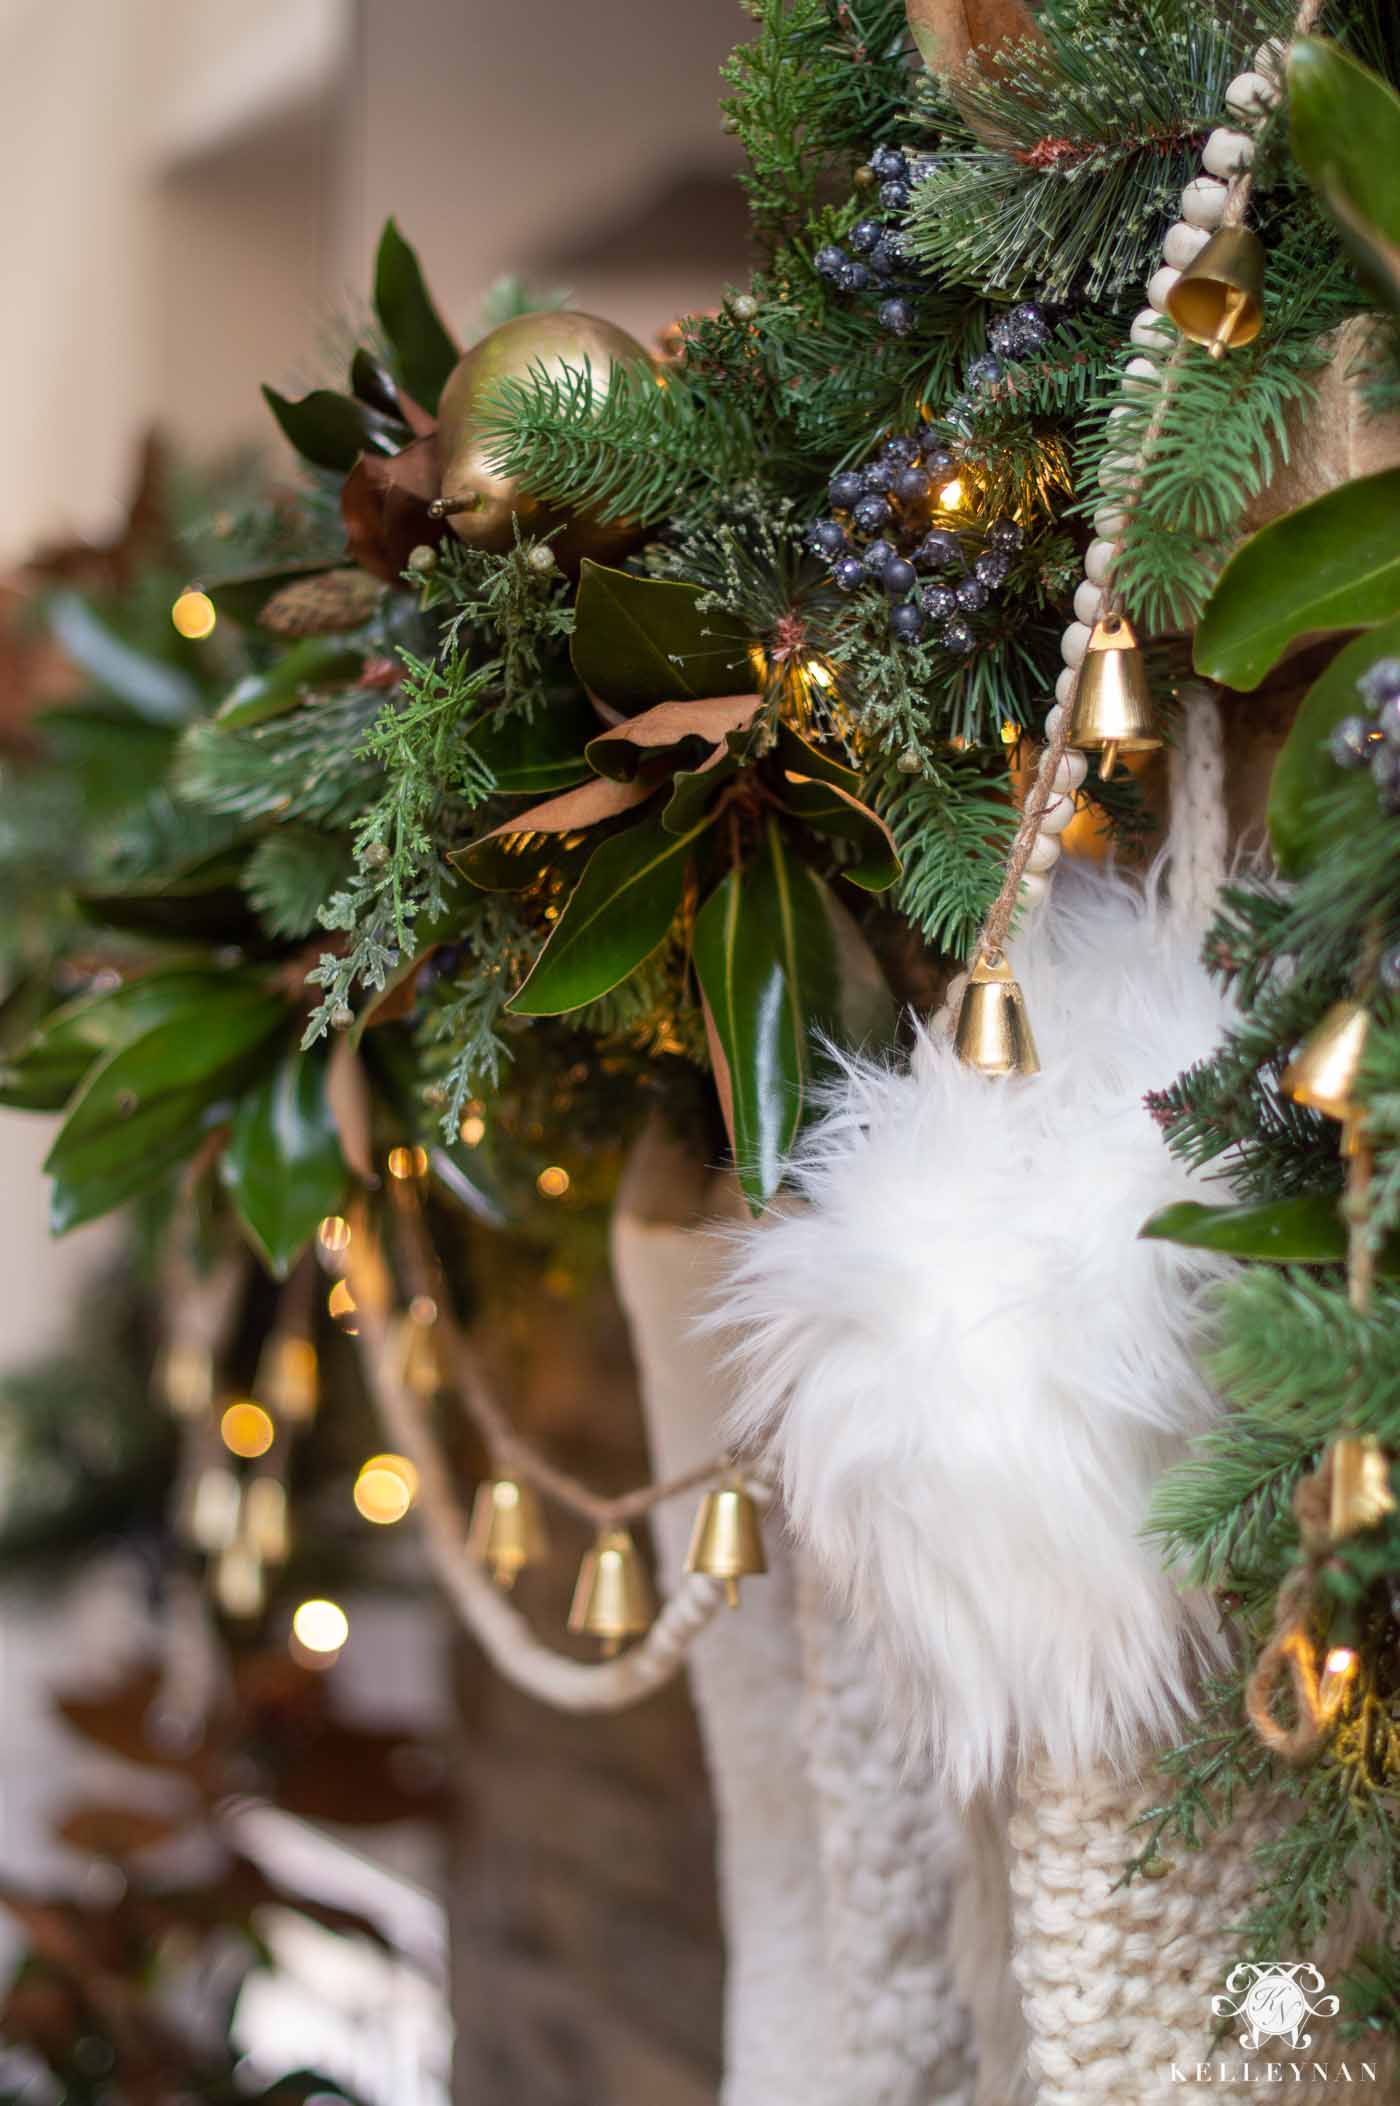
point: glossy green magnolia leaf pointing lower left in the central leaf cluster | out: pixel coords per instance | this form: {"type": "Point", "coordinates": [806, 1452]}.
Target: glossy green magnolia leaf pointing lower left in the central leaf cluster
{"type": "Point", "coordinates": [618, 915]}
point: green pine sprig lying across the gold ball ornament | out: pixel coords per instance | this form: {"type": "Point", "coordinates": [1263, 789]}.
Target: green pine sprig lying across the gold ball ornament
{"type": "Point", "coordinates": [637, 450]}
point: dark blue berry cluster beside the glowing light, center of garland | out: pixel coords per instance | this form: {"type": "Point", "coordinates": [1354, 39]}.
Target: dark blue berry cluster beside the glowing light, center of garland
{"type": "Point", "coordinates": [881, 536]}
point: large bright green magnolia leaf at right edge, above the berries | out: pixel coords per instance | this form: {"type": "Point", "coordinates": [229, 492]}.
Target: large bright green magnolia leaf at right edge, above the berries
{"type": "Point", "coordinates": [1329, 565]}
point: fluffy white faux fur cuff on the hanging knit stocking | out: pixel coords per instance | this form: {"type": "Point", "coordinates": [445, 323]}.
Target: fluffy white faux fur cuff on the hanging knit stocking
{"type": "Point", "coordinates": [969, 1372]}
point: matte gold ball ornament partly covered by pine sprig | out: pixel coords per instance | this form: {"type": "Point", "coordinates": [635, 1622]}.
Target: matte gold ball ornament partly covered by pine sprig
{"type": "Point", "coordinates": [492, 504]}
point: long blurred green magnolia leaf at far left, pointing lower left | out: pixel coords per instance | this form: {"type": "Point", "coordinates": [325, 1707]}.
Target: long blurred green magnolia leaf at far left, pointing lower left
{"type": "Point", "coordinates": [157, 1084]}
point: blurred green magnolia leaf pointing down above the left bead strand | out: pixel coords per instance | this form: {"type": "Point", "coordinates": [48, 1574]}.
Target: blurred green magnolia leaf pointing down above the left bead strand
{"type": "Point", "coordinates": [283, 1166]}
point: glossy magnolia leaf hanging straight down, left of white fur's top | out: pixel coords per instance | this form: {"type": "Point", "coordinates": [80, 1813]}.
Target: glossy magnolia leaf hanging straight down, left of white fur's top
{"type": "Point", "coordinates": [767, 963]}
